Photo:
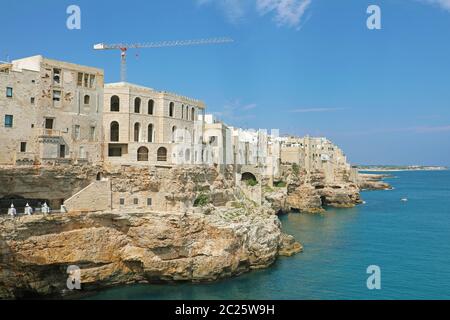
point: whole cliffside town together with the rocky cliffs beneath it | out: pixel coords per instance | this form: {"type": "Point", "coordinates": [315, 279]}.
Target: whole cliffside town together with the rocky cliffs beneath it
{"type": "Point", "coordinates": [130, 184]}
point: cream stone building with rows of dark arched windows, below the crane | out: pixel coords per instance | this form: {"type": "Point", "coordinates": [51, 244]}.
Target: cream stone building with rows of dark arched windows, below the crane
{"type": "Point", "coordinates": [148, 127]}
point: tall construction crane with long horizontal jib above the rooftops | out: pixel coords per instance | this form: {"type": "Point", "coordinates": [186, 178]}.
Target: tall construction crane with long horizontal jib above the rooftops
{"type": "Point", "coordinates": [123, 47]}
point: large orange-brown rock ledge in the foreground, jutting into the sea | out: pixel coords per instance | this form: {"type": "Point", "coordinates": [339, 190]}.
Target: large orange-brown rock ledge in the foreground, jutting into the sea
{"type": "Point", "coordinates": [119, 248]}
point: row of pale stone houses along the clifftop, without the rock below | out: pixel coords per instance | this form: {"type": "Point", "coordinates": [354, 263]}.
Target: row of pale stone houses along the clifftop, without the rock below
{"type": "Point", "coordinates": [58, 112]}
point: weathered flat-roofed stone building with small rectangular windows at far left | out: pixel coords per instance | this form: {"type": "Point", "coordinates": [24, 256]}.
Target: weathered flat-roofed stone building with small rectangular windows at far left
{"type": "Point", "coordinates": [50, 111]}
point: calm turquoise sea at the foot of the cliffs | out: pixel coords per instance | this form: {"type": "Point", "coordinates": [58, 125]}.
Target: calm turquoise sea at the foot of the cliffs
{"type": "Point", "coordinates": [409, 241]}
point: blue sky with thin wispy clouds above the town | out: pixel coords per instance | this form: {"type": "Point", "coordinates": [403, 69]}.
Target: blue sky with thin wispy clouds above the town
{"type": "Point", "coordinates": [300, 66]}
